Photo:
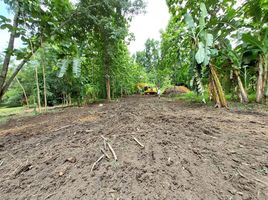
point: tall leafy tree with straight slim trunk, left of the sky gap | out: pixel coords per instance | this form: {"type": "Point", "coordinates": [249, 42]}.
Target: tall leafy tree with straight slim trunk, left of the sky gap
{"type": "Point", "coordinates": [108, 28]}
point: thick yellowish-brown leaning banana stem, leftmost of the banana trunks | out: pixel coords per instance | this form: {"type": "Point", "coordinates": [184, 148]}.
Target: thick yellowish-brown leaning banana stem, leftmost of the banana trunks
{"type": "Point", "coordinates": [218, 91]}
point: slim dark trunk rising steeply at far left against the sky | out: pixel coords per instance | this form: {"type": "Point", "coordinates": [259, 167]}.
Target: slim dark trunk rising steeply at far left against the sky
{"type": "Point", "coordinates": [9, 52]}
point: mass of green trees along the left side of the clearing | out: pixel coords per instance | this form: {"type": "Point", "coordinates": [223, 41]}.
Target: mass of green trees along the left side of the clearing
{"type": "Point", "coordinates": [84, 45]}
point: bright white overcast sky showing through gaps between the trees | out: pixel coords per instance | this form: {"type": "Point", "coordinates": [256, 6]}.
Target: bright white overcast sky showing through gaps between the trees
{"type": "Point", "coordinates": [143, 26]}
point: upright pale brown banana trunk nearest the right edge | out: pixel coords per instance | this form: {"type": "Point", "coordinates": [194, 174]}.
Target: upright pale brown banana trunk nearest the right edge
{"type": "Point", "coordinates": [260, 89]}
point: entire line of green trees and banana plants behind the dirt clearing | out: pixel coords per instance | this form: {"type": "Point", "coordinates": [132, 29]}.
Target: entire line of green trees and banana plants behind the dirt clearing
{"type": "Point", "coordinates": [79, 52]}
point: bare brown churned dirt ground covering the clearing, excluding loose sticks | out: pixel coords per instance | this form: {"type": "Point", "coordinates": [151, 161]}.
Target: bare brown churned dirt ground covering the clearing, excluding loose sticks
{"type": "Point", "coordinates": [191, 152]}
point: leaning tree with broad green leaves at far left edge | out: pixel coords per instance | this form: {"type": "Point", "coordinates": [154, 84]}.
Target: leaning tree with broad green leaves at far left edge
{"type": "Point", "coordinates": [32, 20]}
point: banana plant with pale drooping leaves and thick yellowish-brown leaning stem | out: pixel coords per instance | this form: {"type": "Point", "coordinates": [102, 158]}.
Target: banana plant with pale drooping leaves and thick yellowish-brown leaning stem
{"type": "Point", "coordinates": [202, 51]}
